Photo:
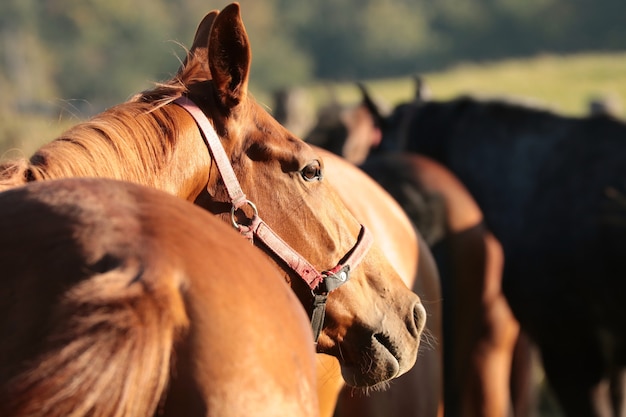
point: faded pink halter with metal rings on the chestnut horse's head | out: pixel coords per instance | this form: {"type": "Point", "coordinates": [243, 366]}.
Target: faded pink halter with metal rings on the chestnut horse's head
{"type": "Point", "coordinates": [320, 283]}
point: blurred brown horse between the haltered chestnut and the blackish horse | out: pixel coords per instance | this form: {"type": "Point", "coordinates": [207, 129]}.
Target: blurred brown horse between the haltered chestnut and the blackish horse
{"type": "Point", "coordinates": [479, 329]}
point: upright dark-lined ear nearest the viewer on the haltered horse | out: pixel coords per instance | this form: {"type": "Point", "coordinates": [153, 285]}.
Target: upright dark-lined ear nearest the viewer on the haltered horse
{"type": "Point", "coordinates": [229, 52]}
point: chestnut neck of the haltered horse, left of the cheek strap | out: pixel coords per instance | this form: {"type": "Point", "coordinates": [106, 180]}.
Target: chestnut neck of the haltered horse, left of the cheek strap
{"type": "Point", "coordinates": [131, 142]}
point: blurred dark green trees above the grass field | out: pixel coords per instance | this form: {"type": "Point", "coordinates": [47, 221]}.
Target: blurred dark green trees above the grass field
{"type": "Point", "coordinates": [90, 54]}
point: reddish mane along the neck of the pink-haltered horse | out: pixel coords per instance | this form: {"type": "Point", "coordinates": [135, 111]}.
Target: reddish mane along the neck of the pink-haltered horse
{"type": "Point", "coordinates": [130, 141]}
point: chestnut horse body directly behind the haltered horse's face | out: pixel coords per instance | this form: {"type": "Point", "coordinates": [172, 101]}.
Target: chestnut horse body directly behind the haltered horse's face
{"type": "Point", "coordinates": [408, 252]}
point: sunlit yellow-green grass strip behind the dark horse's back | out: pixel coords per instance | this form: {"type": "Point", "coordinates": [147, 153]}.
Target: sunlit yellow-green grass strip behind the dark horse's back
{"type": "Point", "coordinates": [562, 83]}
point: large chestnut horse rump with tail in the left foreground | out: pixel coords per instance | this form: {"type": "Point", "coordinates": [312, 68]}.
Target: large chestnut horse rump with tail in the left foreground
{"type": "Point", "coordinates": [121, 300]}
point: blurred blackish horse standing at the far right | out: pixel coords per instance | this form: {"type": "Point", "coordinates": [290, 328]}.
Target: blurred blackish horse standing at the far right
{"type": "Point", "coordinates": [552, 191]}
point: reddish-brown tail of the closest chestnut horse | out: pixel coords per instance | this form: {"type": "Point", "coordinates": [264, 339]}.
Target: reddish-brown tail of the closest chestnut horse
{"type": "Point", "coordinates": [110, 353]}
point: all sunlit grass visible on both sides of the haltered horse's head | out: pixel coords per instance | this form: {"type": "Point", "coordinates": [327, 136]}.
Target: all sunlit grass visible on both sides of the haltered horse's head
{"type": "Point", "coordinates": [561, 83]}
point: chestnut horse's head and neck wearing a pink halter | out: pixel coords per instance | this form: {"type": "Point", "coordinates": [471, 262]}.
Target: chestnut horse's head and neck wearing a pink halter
{"type": "Point", "coordinates": [160, 139]}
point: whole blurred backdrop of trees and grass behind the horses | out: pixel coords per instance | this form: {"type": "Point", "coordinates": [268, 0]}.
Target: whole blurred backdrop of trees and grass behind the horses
{"type": "Point", "coordinates": [62, 61]}
